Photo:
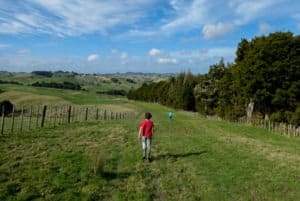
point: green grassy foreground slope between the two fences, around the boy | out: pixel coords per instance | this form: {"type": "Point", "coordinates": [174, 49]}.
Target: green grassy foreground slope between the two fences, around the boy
{"type": "Point", "coordinates": [194, 159]}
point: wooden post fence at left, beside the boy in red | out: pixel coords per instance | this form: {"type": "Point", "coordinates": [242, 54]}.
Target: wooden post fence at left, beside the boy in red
{"type": "Point", "coordinates": [31, 117]}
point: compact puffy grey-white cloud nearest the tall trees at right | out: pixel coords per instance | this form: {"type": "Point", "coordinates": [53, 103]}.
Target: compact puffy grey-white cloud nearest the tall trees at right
{"type": "Point", "coordinates": [211, 31]}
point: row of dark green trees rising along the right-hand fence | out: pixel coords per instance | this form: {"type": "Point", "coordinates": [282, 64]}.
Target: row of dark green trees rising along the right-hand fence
{"type": "Point", "coordinates": [264, 74]}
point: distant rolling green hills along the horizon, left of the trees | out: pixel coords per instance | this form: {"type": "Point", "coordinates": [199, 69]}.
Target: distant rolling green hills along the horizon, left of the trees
{"type": "Point", "coordinates": [90, 82]}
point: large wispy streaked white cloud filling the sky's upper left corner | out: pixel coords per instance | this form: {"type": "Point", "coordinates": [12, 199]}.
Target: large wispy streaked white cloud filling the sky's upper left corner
{"type": "Point", "coordinates": [65, 18]}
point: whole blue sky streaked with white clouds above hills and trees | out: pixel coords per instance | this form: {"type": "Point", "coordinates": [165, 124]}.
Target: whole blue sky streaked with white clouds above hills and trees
{"type": "Point", "coordinates": [157, 36]}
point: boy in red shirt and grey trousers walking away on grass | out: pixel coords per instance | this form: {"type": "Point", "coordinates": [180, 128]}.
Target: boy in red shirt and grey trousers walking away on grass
{"type": "Point", "coordinates": [145, 133]}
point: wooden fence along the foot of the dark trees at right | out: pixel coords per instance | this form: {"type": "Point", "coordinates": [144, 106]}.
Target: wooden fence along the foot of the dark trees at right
{"type": "Point", "coordinates": [275, 127]}
